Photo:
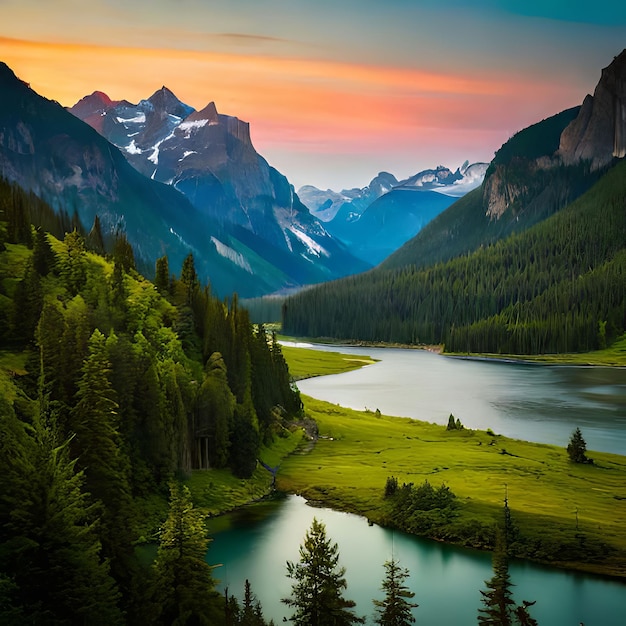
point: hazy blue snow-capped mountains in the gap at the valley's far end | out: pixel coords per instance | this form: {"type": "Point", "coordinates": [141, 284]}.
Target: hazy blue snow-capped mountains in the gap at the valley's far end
{"type": "Point", "coordinates": [376, 220]}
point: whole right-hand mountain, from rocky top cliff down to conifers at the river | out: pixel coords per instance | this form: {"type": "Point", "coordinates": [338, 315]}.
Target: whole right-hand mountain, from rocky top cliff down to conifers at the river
{"type": "Point", "coordinates": [556, 286]}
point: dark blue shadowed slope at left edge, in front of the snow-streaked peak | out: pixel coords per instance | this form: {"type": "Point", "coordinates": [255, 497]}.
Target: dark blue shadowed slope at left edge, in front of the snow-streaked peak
{"type": "Point", "coordinates": [46, 150]}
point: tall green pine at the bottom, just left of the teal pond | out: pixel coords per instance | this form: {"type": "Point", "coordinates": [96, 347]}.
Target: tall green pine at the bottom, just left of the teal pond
{"type": "Point", "coordinates": [183, 591]}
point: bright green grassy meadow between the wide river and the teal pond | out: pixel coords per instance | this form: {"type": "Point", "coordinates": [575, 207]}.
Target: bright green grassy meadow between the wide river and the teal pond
{"type": "Point", "coordinates": [569, 514]}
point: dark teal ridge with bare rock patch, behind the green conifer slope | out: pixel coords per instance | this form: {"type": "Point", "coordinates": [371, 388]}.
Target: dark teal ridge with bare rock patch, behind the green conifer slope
{"type": "Point", "coordinates": [523, 186]}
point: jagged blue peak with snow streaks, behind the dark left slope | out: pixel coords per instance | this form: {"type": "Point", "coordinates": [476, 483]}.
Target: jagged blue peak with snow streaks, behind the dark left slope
{"type": "Point", "coordinates": [209, 158]}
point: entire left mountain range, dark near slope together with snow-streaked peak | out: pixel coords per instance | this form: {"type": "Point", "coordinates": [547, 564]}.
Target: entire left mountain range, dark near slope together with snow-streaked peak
{"type": "Point", "coordinates": [183, 182]}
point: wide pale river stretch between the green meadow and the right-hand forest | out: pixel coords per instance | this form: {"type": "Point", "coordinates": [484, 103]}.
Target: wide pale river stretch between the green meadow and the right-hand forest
{"type": "Point", "coordinates": [542, 403]}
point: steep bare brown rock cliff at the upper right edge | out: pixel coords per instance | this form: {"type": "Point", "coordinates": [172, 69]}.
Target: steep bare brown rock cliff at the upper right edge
{"type": "Point", "coordinates": [598, 134]}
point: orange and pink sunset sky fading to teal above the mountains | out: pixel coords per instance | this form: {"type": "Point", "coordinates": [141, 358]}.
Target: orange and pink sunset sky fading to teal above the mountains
{"type": "Point", "coordinates": [335, 91]}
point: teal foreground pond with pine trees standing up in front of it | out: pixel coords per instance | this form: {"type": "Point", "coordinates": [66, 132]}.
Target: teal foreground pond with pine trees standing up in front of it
{"type": "Point", "coordinates": [446, 580]}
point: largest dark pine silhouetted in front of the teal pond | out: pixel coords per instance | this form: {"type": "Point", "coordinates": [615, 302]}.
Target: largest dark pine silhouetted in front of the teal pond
{"type": "Point", "coordinates": [316, 593]}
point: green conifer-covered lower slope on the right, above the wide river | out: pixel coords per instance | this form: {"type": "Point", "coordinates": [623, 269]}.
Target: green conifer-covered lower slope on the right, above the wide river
{"type": "Point", "coordinates": [558, 287]}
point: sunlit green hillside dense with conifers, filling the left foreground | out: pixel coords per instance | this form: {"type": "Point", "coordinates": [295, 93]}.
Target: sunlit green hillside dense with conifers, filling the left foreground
{"type": "Point", "coordinates": [110, 386]}
